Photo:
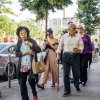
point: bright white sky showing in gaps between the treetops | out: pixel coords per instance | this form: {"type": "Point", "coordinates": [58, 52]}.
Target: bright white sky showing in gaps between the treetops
{"type": "Point", "coordinates": [69, 12]}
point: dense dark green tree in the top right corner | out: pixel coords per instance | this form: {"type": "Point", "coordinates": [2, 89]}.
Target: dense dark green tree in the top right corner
{"type": "Point", "coordinates": [88, 14]}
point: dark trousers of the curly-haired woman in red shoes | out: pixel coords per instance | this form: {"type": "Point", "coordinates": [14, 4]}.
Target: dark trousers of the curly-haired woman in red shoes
{"type": "Point", "coordinates": [23, 87]}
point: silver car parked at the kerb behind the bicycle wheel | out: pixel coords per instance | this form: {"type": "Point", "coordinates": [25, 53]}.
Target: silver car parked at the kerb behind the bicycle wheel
{"type": "Point", "coordinates": [4, 55]}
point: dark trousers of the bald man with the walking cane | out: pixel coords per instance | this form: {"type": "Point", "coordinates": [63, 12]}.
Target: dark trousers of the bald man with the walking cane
{"type": "Point", "coordinates": [71, 60]}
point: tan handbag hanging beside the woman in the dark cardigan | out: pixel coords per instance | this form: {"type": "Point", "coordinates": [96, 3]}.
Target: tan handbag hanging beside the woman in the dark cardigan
{"type": "Point", "coordinates": [38, 66]}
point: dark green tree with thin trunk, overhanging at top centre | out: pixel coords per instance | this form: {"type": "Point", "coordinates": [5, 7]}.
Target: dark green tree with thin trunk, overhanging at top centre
{"type": "Point", "coordinates": [42, 7]}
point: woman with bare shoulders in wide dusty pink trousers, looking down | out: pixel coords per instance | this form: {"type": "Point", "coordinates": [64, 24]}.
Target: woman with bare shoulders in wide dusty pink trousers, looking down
{"type": "Point", "coordinates": [51, 64]}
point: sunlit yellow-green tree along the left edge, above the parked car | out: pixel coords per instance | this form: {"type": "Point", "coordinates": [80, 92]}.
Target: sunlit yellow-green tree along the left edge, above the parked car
{"type": "Point", "coordinates": [7, 25]}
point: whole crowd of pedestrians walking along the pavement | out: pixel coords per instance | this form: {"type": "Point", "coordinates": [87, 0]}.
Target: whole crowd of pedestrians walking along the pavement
{"type": "Point", "coordinates": [74, 49]}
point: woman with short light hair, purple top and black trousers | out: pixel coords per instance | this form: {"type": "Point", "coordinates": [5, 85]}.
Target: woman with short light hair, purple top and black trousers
{"type": "Point", "coordinates": [84, 56]}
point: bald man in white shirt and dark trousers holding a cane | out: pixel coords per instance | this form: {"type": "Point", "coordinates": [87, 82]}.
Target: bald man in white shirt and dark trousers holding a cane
{"type": "Point", "coordinates": [72, 46]}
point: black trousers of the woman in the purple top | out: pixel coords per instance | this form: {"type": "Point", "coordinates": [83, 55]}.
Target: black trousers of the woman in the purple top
{"type": "Point", "coordinates": [83, 67]}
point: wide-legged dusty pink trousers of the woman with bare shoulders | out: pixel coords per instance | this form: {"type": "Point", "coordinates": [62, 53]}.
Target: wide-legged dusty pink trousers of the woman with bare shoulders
{"type": "Point", "coordinates": [51, 69]}
